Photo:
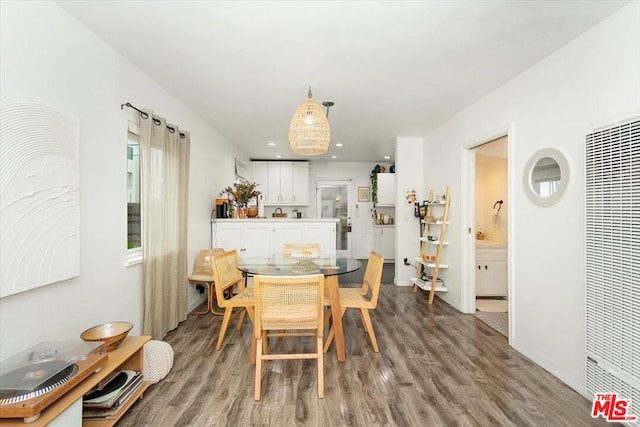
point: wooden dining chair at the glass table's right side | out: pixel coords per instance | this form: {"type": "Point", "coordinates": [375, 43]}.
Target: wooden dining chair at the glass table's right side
{"type": "Point", "coordinates": [364, 298]}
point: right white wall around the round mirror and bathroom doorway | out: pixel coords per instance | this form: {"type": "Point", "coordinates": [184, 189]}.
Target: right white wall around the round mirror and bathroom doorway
{"type": "Point", "coordinates": [592, 80]}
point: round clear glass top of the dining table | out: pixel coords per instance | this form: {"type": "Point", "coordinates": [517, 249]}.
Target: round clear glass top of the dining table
{"type": "Point", "coordinates": [279, 266]}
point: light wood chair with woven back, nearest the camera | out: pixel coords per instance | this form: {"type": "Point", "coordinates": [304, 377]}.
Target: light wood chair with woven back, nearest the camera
{"type": "Point", "coordinates": [288, 306]}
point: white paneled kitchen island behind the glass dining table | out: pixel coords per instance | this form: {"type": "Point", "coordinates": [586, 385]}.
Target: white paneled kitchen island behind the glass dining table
{"type": "Point", "coordinates": [253, 237]}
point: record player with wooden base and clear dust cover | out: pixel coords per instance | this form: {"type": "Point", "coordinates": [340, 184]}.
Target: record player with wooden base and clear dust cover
{"type": "Point", "coordinates": [35, 378]}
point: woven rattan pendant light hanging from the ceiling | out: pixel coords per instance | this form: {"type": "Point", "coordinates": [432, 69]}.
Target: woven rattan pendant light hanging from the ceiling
{"type": "Point", "coordinates": [309, 131]}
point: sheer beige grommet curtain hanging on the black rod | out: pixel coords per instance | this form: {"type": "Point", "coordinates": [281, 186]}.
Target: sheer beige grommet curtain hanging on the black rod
{"type": "Point", "coordinates": [164, 156]}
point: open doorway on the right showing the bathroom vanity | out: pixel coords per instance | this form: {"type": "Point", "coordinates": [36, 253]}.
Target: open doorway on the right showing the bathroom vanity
{"type": "Point", "coordinates": [489, 240]}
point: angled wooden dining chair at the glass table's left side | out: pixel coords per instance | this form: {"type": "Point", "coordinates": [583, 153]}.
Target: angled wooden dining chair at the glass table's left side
{"type": "Point", "coordinates": [227, 276]}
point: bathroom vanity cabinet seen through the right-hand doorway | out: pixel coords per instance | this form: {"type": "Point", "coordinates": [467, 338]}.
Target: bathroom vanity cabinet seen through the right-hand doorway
{"type": "Point", "coordinates": [491, 272]}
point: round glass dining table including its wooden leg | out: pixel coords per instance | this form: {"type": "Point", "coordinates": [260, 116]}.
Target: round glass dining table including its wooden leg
{"type": "Point", "coordinates": [330, 266]}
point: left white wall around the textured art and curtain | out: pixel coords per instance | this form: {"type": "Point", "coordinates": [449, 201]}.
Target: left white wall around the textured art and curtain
{"type": "Point", "coordinates": [46, 55]}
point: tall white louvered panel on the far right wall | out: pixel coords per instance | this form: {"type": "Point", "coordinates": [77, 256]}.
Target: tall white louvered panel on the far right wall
{"type": "Point", "coordinates": [613, 262]}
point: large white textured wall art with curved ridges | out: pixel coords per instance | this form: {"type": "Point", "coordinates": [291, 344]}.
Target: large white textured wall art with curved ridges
{"type": "Point", "coordinates": [39, 196]}
